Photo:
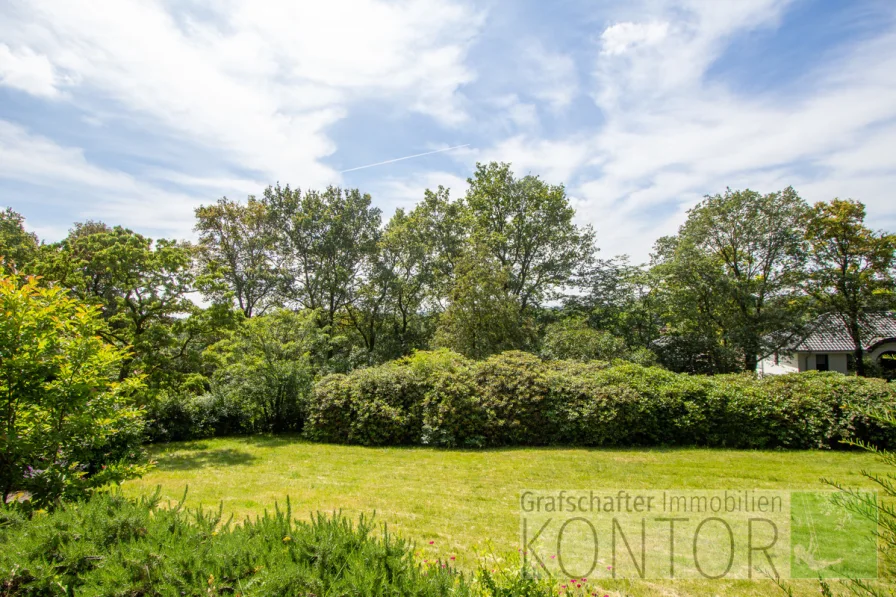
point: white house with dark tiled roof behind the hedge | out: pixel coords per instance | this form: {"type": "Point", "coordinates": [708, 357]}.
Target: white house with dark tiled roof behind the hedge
{"type": "Point", "coordinates": [829, 347]}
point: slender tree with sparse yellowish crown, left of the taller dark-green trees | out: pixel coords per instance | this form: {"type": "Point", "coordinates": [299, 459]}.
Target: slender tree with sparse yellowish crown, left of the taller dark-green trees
{"type": "Point", "coordinates": [237, 245]}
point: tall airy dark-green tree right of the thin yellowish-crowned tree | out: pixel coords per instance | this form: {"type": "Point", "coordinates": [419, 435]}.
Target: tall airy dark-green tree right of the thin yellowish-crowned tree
{"type": "Point", "coordinates": [326, 240]}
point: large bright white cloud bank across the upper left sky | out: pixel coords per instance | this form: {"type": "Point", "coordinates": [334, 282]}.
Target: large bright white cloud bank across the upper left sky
{"type": "Point", "coordinates": [257, 82]}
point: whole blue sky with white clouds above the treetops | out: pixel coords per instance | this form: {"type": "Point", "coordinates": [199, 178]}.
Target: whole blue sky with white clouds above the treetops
{"type": "Point", "coordinates": [135, 112]}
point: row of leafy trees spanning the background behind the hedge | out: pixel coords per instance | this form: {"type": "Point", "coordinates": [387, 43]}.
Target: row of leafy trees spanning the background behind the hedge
{"type": "Point", "coordinates": [504, 266]}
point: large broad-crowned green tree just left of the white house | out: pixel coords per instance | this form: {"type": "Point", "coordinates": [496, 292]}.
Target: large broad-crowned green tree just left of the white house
{"type": "Point", "coordinates": [740, 256]}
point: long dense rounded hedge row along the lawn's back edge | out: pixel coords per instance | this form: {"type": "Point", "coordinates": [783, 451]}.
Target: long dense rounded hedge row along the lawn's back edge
{"type": "Point", "coordinates": [442, 399]}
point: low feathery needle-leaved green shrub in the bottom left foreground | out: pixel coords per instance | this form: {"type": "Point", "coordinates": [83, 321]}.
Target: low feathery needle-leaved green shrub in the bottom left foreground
{"type": "Point", "coordinates": [112, 546]}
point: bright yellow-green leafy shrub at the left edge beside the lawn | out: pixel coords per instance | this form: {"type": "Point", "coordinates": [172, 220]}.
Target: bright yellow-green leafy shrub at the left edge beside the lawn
{"type": "Point", "coordinates": [67, 424]}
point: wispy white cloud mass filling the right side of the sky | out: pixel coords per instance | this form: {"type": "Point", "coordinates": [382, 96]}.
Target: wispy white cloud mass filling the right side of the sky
{"type": "Point", "coordinates": [671, 135]}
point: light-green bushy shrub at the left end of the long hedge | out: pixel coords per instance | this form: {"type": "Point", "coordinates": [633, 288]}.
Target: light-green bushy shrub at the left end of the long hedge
{"type": "Point", "coordinates": [268, 365]}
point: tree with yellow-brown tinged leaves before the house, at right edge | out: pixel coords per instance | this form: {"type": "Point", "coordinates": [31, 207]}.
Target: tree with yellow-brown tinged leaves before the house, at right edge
{"type": "Point", "coordinates": [851, 267]}
